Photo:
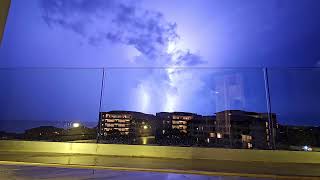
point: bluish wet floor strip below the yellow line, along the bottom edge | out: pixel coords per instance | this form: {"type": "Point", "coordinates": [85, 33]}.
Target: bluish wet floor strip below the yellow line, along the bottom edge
{"type": "Point", "coordinates": [50, 173]}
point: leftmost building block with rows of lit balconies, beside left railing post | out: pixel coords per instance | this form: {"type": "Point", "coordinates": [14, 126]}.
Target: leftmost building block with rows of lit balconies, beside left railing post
{"type": "Point", "coordinates": [125, 125]}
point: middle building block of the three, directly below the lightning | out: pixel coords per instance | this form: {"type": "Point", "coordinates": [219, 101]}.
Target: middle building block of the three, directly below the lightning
{"type": "Point", "coordinates": [184, 128]}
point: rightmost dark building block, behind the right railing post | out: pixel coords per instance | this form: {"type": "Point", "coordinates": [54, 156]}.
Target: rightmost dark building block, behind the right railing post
{"type": "Point", "coordinates": [241, 129]}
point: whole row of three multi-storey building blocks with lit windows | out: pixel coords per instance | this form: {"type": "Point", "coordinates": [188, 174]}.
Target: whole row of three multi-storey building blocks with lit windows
{"type": "Point", "coordinates": [229, 129]}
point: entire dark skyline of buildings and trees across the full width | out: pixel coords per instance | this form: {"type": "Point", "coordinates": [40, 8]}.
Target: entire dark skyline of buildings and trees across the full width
{"type": "Point", "coordinates": [226, 129]}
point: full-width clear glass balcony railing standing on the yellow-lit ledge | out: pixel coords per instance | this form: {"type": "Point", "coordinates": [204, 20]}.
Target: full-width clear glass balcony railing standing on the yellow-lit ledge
{"type": "Point", "coordinates": [243, 108]}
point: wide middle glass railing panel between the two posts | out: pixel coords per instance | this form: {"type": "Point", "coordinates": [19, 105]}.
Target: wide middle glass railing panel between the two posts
{"type": "Point", "coordinates": [183, 106]}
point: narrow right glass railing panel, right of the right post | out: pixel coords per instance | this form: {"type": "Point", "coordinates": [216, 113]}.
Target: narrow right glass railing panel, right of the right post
{"type": "Point", "coordinates": [295, 99]}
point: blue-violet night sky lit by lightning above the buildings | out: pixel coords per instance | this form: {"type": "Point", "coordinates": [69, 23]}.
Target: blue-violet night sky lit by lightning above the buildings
{"type": "Point", "coordinates": [198, 56]}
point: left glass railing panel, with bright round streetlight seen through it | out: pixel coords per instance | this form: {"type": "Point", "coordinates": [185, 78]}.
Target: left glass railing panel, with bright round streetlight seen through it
{"type": "Point", "coordinates": [49, 104]}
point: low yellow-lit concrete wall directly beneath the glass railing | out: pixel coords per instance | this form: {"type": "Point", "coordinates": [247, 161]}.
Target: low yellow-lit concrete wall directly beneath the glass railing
{"type": "Point", "coordinates": [162, 151]}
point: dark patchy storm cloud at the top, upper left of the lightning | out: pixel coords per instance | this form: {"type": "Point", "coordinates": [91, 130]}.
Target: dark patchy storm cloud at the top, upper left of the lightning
{"type": "Point", "coordinates": [114, 20]}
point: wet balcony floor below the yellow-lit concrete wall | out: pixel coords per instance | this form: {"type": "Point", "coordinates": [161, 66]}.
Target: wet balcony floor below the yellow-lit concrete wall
{"type": "Point", "coordinates": [149, 167]}
